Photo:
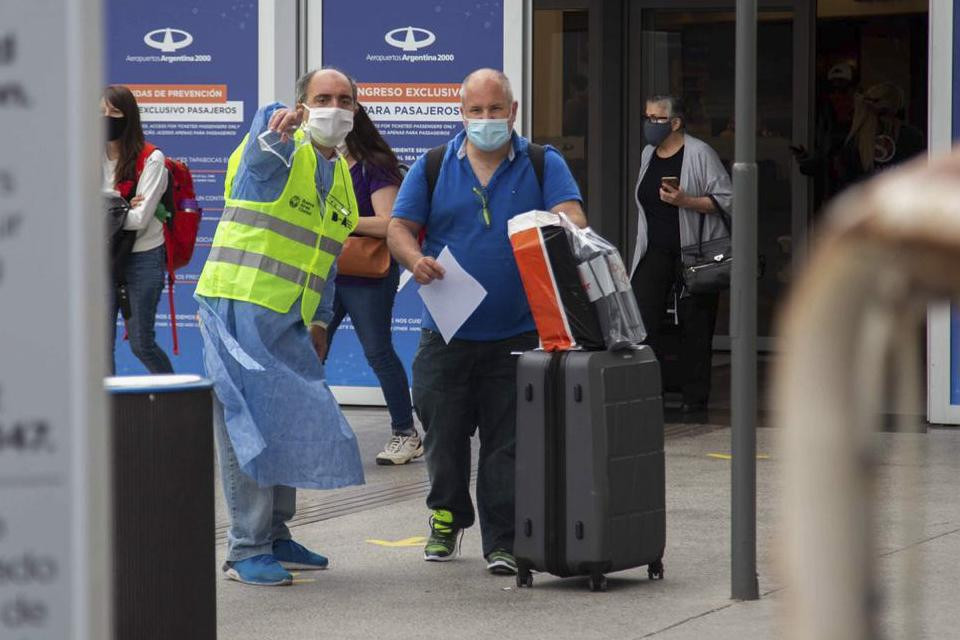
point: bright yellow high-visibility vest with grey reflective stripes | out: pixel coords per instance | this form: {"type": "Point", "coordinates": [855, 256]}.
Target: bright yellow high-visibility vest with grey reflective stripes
{"type": "Point", "coordinates": [271, 253]}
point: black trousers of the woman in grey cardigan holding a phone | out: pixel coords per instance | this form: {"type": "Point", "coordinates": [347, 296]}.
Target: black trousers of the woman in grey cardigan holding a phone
{"type": "Point", "coordinates": [652, 283]}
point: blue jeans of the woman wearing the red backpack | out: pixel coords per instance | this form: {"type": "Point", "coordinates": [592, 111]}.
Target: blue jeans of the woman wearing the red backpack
{"type": "Point", "coordinates": [145, 272]}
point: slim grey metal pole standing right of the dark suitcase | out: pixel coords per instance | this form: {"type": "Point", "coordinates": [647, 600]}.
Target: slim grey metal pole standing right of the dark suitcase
{"type": "Point", "coordinates": [743, 311]}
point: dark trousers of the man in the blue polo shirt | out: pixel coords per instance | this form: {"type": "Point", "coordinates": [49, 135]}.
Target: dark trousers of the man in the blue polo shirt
{"type": "Point", "coordinates": [459, 388]}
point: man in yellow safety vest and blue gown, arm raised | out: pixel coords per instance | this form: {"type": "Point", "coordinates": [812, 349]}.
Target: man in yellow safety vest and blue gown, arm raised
{"type": "Point", "coordinates": [266, 295]}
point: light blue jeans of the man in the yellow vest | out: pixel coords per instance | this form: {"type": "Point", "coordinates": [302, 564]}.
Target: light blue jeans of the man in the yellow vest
{"type": "Point", "coordinates": [258, 515]}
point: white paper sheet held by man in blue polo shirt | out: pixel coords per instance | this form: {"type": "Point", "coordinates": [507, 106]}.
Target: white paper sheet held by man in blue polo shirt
{"type": "Point", "coordinates": [452, 300]}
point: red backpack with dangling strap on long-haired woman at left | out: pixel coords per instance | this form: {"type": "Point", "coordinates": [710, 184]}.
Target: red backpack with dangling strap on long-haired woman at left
{"type": "Point", "coordinates": [180, 229]}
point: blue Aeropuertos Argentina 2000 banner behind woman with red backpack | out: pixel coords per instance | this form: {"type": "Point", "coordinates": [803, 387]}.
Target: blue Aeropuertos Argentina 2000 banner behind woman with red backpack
{"type": "Point", "coordinates": [193, 67]}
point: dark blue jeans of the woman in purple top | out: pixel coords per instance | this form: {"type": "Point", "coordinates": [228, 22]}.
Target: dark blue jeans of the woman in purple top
{"type": "Point", "coordinates": [371, 309]}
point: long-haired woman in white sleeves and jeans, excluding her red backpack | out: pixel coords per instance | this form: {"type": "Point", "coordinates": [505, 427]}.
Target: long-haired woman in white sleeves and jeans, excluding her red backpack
{"type": "Point", "coordinates": [137, 172]}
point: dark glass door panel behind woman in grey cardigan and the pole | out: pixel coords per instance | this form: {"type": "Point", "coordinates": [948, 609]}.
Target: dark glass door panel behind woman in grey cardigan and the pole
{"type": "Point", "coordinates": [691, 54]}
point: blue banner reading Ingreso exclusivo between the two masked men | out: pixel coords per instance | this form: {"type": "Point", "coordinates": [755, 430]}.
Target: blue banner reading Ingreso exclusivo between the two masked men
{"type": "Point", "coordinates": [409, 59]}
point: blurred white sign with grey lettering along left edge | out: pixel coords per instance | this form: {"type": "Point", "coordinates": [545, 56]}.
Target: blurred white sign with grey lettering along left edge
{"type": "Point", "coordinates": [54, 454]}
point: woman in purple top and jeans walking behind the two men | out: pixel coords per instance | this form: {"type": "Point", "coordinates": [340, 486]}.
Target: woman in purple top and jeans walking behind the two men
{"type": "Point", "coordinates": [369, 301]}
